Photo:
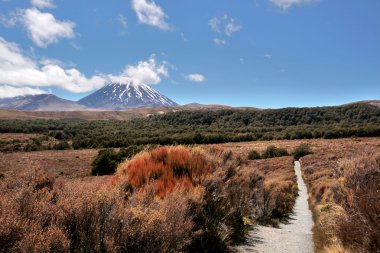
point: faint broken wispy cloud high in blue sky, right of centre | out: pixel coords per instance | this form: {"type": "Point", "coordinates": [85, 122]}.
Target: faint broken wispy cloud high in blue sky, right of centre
{"type": "Point", "coordinates": [224, 27]}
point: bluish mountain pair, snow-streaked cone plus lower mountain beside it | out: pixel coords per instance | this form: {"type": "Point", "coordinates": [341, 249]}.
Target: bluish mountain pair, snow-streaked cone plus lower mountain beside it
{"type": "Point", "coordinates": [112, 97]}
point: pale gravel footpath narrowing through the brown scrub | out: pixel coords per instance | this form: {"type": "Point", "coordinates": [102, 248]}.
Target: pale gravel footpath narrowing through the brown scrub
{"type": "Point", "coordinates": [294, 237]}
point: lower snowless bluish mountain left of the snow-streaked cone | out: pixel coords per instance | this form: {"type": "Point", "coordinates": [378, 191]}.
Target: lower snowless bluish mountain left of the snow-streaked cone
{"type": "Point", "coordinates": [43, 102]}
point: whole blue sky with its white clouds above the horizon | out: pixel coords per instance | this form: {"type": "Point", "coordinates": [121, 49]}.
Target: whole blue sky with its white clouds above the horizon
{"type": "Point", "coordinates": [261, 53]}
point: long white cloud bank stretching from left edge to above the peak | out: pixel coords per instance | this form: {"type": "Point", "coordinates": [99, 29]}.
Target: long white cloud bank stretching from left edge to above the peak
{"type": "Point", "coordinates": [21, 75]}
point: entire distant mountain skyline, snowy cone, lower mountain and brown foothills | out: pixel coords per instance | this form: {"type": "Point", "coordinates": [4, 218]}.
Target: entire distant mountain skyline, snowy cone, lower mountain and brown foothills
{"type": "Point", "coordinates": [139, 101]}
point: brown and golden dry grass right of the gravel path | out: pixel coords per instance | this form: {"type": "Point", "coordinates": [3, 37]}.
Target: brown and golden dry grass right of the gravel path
{"type": "Point", "coordinates": [344, 196]}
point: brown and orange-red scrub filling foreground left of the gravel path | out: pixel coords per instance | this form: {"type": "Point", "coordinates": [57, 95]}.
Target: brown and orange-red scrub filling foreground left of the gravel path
{"type": "Point", "coordinates": [167, 199]}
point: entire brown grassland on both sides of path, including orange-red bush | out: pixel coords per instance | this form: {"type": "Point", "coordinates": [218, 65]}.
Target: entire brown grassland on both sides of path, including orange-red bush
{"type": "Point", "coordinates": [187, 199]}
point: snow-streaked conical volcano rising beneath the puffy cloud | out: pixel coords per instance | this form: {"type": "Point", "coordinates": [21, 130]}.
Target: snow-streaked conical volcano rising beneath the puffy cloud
{"type": "Point", "coordinates": [119, 96]}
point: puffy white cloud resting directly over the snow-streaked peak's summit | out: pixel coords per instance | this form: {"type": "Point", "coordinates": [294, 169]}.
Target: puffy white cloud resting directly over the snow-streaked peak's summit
{"type": "Point", "coordinates": [145, 72]}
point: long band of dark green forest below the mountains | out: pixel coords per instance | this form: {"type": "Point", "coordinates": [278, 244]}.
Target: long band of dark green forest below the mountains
{"type": "Point", "coordinates": [199, 127]}
